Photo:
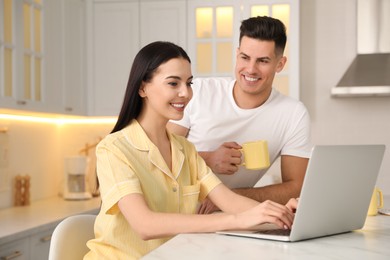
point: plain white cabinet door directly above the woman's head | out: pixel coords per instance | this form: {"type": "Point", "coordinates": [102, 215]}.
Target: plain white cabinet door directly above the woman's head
{"type": "Point", "coordinates": [163, 21]}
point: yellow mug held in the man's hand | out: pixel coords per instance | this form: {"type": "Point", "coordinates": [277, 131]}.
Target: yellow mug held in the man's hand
{"type": "Point", "coordinates": [256, 155]}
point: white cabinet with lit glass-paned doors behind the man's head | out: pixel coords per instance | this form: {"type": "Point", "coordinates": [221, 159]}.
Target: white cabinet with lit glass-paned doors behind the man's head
{"type": "Point", "coordinates": [213, 37]}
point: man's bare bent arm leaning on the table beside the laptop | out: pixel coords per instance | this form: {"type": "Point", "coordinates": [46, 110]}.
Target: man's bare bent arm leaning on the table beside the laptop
{"type": "Point", "coordinates": [293, 172]}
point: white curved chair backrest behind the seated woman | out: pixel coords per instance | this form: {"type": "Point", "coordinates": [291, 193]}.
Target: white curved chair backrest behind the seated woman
{"type": "Point", "coordinates": [70, 237]}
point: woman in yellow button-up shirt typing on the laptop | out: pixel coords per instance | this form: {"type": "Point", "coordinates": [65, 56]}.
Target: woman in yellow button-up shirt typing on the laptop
{"type": "Point", "coordinates": [150, 180]}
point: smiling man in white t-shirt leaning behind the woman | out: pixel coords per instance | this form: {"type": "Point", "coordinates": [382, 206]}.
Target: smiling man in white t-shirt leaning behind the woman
{"type": "Point", "coordinates": [224, 114]}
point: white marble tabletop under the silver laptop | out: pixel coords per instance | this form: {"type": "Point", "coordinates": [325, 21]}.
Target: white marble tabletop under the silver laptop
{"type": "Point", "coordinates": [371, 242]}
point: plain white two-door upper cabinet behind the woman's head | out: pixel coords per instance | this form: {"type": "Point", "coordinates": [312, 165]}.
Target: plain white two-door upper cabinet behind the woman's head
{"type": "Point", "coordinates": [117, 31]}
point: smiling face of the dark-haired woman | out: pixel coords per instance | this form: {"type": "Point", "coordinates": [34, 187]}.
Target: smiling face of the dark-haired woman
{"type": "Point", "coordinates": [169, 90]}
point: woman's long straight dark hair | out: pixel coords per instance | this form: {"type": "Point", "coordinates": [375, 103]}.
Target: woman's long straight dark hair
{"type": "Point", "coordinates": [146, 62]}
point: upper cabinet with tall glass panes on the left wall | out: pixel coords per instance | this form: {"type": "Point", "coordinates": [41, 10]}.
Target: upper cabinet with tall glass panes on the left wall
{"type": "Point", "coordinates": [41, 57]}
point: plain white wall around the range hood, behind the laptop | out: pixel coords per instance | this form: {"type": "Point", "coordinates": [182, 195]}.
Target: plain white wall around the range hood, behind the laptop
{"type": "Point", "coordinates": [328, 46]}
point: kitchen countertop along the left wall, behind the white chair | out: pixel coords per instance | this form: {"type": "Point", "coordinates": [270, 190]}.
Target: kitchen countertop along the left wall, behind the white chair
{"type": "Point", "coordinates": [18, 222]}
